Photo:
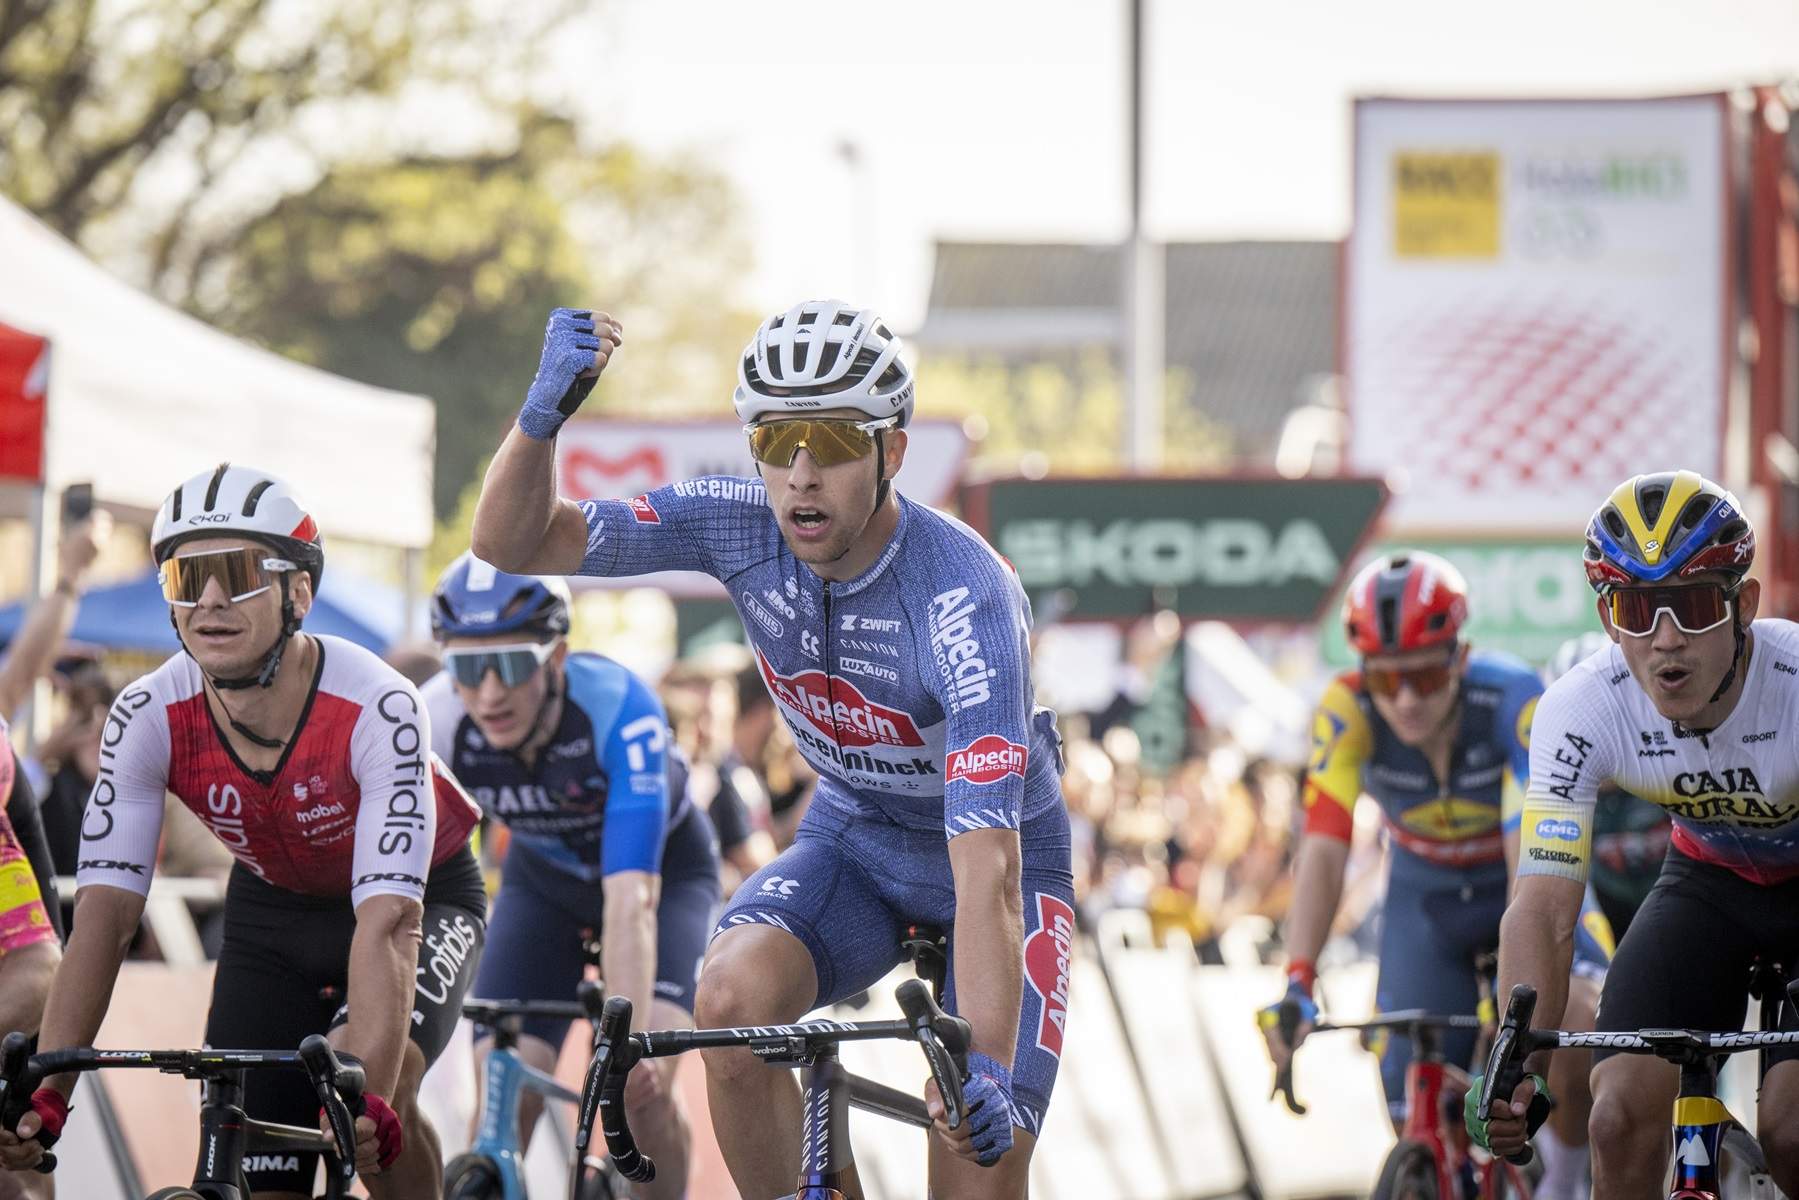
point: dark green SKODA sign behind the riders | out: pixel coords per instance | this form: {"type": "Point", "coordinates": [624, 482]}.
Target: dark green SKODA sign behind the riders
{"type": "Point", "coordinates": [1231, 550]}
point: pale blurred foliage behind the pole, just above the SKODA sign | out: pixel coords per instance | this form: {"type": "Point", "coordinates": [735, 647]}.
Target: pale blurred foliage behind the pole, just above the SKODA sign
{"type": "Point", "coordinates": [1062, 415]}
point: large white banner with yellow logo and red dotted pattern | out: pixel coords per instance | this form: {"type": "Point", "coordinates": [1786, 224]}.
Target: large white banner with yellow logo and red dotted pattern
{"type": "Point", "coordinates": [1535, 305]}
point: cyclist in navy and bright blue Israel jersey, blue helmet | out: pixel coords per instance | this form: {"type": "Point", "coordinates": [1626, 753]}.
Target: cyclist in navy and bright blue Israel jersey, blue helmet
{"type": "Point", "coordinates": [573, 755]}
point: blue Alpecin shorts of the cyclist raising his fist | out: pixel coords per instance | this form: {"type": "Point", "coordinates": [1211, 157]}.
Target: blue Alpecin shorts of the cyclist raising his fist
{"type": "Point", "coordinates": [850, 886]}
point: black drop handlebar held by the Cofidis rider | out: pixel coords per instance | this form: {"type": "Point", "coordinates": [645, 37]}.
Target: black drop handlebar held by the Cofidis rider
{"type": "Point", "coordinates": [337, 1079]}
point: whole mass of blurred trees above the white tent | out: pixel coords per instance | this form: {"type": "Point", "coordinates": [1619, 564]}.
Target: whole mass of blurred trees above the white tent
{"type": "Point", "coordinates": [285, 170]}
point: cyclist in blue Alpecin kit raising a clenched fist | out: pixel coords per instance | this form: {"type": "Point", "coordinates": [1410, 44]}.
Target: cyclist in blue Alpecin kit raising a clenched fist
{"type": "Point", "coordinates": [895, 645]}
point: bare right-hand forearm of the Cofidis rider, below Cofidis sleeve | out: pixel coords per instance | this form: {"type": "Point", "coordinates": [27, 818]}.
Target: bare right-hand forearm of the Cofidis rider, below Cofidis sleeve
{"type": "Point", "coordinates": [384, 960]}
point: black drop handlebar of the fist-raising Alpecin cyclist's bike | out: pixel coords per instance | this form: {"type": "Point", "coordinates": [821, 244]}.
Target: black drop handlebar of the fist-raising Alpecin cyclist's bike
{"type": "Point", "coordinates": [944, 1039]}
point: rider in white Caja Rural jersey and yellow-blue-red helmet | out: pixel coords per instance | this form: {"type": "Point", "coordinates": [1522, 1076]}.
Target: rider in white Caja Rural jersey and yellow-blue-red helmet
{"type": "Point", "coordinates": [1692, 708]}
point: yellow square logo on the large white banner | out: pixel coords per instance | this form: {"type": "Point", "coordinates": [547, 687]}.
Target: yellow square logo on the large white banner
{"type": "Point", "coordinates": [1445, 206]}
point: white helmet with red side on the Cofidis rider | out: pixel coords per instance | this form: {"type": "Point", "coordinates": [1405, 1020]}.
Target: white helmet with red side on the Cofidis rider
{"type": "Point", "coordinates": [246, 503]}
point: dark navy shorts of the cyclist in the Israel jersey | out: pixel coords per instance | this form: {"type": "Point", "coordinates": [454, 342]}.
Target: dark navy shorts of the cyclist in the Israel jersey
{"type": "Point", "coordinates": [537, 940]}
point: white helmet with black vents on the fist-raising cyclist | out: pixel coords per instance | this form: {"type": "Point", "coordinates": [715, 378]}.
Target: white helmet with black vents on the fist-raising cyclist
{"type": "Point", "coordinates": [823, 355]}
